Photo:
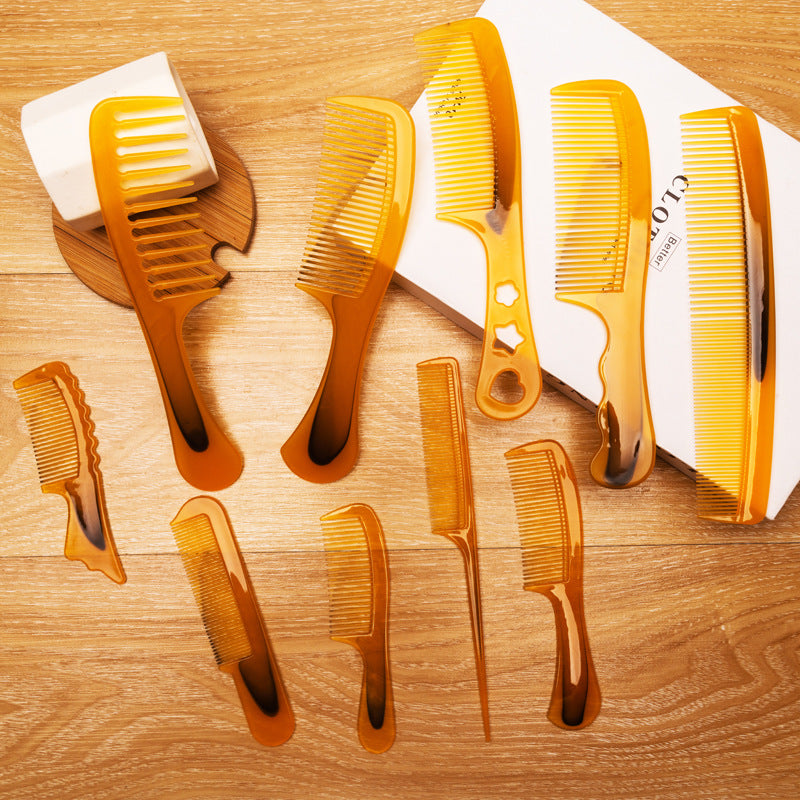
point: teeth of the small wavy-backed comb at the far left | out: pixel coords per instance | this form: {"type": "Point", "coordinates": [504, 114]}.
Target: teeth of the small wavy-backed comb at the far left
{"type": "Point", "coordinates": [52, 431]}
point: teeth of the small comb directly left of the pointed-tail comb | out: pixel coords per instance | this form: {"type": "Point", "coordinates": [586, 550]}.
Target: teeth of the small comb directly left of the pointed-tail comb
{"type": "Point", "coordinates": [350, 578]}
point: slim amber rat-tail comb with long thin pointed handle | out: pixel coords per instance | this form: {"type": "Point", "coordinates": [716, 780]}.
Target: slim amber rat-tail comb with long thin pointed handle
{"type": "Point", "coordinates": [449, 479]}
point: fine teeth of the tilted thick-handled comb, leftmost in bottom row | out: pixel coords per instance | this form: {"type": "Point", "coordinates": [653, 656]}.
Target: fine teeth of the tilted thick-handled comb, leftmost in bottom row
{"type": "Point", "coordinates": [211, 585]}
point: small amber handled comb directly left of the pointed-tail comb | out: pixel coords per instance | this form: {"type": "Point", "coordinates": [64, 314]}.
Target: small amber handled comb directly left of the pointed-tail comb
{"type": "Point", "coordinates": [358, 585]}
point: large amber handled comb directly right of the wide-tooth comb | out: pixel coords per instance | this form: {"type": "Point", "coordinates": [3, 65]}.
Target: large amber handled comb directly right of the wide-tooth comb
{"type": "Point", "coordinates": [357, 227]}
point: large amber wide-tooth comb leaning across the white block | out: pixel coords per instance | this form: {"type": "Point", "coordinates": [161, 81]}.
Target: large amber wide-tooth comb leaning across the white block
{"type": "Point", "coordinates": [138, 155]}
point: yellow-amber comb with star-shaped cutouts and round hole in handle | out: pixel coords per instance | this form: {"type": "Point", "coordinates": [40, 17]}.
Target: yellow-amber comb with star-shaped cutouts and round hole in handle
{"type": "Point", "coordinates": [476, 149]}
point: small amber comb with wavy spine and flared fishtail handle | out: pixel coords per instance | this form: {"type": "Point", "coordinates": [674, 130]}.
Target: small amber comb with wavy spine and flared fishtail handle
{"type": "Point", "coordinates": [65, 446]}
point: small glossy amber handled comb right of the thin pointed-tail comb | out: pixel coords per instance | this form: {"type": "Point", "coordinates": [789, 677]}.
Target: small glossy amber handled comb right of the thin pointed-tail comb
{"type": "Point", "coordinates": [551, 535]}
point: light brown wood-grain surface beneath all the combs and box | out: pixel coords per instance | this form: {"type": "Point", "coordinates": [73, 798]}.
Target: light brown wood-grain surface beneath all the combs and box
{"type": "Point", "coordinates": [111, 691]}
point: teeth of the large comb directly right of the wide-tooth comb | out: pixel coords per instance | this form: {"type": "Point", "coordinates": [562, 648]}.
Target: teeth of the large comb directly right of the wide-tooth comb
{"type": "Point", "coordinates": [354, 193]}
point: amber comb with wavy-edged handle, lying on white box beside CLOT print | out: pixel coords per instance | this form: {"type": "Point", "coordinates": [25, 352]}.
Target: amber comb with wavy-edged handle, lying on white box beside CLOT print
{"type": "Point", "coordinates": [602, 180]}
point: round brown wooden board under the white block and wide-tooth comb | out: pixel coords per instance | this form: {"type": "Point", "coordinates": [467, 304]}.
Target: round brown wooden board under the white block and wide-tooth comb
{"type": "Point", "coordinates": [227, 216]}
